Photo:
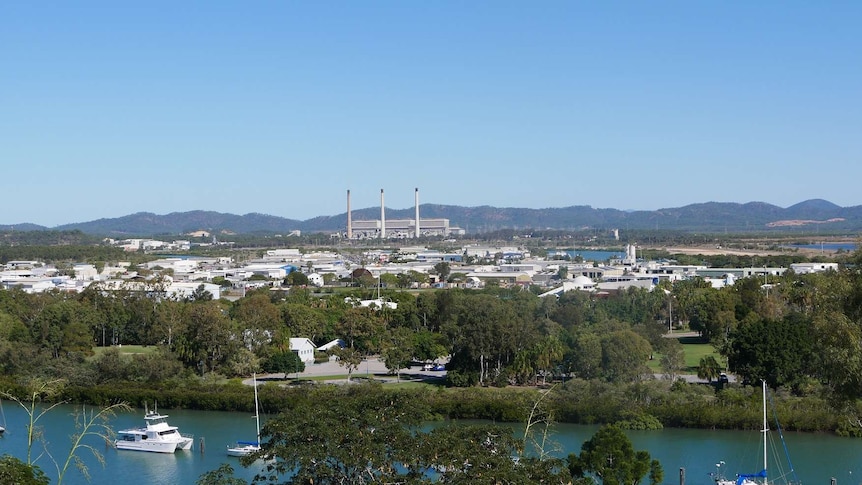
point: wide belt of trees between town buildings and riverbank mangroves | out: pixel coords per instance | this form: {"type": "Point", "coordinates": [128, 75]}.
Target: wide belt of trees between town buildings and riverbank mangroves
{"type": "Point", "coordinates": [802, 333]}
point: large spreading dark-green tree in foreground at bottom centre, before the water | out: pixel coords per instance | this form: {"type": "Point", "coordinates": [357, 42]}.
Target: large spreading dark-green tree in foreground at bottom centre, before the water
{"type": "Point", "coordinates": [362, 435]}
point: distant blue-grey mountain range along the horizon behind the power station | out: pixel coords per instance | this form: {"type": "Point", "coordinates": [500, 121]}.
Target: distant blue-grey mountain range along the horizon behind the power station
{"type": "Point", "coordinates": [811, 215]}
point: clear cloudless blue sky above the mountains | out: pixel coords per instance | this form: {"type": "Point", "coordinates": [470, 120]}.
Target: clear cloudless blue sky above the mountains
{"type": "Point", "coordinates": [278, 107]}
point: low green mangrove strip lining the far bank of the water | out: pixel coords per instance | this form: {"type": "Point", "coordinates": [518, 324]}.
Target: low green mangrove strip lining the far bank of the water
{"type": "Point", "coordinates": [650, 404]}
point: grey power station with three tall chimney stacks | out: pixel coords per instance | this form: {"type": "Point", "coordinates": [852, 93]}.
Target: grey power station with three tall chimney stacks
{"type": "Point", "coordinates": [395, 228]}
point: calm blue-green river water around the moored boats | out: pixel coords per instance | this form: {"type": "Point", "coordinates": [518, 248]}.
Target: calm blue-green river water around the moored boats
{"type": "Point", "coordinates": [816, 457]}
